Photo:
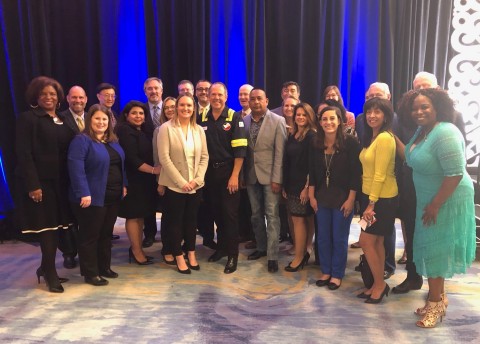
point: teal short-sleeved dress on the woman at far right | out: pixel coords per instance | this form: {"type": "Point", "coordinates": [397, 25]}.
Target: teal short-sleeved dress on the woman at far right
{"type": "Point", "coordinates": [447, 247]}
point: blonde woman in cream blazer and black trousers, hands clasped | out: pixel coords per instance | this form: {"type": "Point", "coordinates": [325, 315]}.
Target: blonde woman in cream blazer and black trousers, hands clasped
{"type": "Point", "coordinates": [182, 152]}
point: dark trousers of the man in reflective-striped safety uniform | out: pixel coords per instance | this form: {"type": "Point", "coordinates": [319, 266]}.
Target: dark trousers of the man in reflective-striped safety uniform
{"type": "Point", "coordinates": [224, 207]}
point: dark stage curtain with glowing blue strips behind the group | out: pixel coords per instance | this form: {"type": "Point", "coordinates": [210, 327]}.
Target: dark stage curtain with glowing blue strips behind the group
{"type": "Point", "coordinates": [350, 43]}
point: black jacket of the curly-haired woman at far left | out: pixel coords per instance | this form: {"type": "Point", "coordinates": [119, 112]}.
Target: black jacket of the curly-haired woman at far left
{"type": "Point", "coordinates": [38, 151]}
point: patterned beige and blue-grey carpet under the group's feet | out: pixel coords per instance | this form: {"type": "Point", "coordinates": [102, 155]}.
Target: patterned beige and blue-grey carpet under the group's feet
{"type": "Point", "coordinates": [156, 304]}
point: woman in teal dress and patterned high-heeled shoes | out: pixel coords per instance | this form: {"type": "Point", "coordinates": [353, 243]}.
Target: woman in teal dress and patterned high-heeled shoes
{"type": "Point", "coordinates": [444, 241]}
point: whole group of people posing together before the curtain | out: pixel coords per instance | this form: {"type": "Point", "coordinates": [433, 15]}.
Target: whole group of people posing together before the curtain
{"type": "Point", "coordinates": [82, 170]}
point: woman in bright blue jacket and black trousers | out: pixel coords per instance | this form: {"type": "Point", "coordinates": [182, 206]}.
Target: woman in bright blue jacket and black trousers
{"type": "Point", "coordinates": [98, 182]}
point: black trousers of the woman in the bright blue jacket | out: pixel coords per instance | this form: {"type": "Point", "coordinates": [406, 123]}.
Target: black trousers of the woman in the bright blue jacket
{"type": "Point", "coordinates": [95, 228]}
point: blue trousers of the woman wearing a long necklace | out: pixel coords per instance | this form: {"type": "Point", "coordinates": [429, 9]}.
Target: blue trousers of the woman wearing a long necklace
{"type": "Point", "coordinates": [332, 240]}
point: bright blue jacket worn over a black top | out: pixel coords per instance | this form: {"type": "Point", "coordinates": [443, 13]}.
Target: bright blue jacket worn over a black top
{"type": "Point", "coordinates": [88, 165]}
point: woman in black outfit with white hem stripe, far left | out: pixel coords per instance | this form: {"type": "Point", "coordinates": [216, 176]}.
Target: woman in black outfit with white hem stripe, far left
{"type": "Point", "coordinates": [42, 141]}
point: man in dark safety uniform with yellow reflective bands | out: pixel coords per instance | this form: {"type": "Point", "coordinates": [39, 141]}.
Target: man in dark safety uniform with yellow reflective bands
{"type": "Point", "coordinates": [227, 147]}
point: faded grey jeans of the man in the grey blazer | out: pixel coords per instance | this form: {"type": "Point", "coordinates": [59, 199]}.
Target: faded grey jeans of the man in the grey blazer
{"type": "Point", "coordinates": [265, 204]}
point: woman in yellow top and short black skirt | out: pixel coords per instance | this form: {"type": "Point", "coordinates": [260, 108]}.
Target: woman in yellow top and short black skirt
{"type": "Point", "coordinates": [379, 191]}
